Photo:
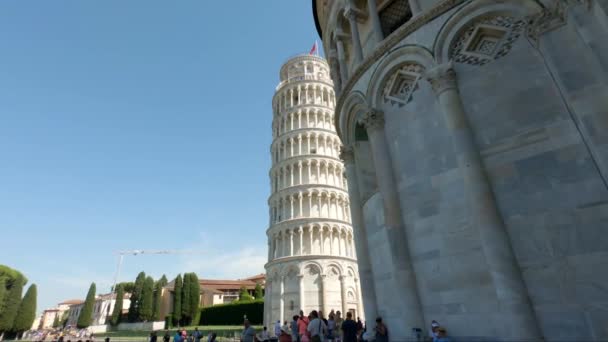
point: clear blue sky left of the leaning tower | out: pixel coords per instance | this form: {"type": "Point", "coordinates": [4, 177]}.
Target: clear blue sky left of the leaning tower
{"type": "Point", "coordinates": [138, 124]}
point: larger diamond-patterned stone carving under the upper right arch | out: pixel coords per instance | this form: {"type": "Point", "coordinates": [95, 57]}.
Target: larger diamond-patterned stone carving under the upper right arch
{"type": "Point", "coordinates": [486, 39]}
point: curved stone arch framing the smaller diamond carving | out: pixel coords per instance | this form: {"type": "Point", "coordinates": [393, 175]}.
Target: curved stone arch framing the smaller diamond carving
{"type": "Point", "coordinates": [391, 64]}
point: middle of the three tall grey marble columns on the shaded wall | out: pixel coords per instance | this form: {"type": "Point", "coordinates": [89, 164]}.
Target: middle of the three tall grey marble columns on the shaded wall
{"type": "Point", "coordinates": [404, 279]}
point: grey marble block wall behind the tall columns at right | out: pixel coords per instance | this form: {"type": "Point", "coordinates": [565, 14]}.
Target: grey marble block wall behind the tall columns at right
{"type": "Point", "coordinates": [538, 115]}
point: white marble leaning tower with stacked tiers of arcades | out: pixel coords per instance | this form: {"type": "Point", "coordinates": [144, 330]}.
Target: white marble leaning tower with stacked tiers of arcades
{"type": "Point", "coordinates": [311, 254]}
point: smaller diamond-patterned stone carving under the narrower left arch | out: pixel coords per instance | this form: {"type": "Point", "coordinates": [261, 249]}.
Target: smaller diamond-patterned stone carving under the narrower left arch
{"type": "Point", "coordinates": [402, 84]}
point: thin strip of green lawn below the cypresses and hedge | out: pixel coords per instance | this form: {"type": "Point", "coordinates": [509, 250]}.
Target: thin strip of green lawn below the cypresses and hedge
{"type": "Point", "coordinates": [220, 330]}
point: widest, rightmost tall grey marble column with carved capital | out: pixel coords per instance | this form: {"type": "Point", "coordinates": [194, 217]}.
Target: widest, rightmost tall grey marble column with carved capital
{"type": "Point", "coordinates": [504, 270]}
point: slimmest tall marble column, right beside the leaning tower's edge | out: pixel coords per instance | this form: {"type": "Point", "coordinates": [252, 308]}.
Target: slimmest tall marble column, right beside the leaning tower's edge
{"type": "Point", "coordinates": [368, 291]}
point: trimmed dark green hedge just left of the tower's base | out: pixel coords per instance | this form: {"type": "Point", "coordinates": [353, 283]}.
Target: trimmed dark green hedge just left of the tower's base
{"type": "Point", "coordinates": [233, 313]}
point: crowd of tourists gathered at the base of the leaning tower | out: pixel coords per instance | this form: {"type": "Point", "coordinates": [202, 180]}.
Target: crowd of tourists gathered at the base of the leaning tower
{"type": "Point", "coordinates": [315, 327]}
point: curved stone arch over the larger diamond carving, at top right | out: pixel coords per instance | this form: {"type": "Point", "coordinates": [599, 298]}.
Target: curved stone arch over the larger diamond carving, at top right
{"type": "Point", "coordinates": [467, 15]}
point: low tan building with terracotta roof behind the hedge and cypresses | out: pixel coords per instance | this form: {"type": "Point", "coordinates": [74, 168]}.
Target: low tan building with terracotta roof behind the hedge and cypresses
{"type": "Point", "coordinates": [213, 291]}
